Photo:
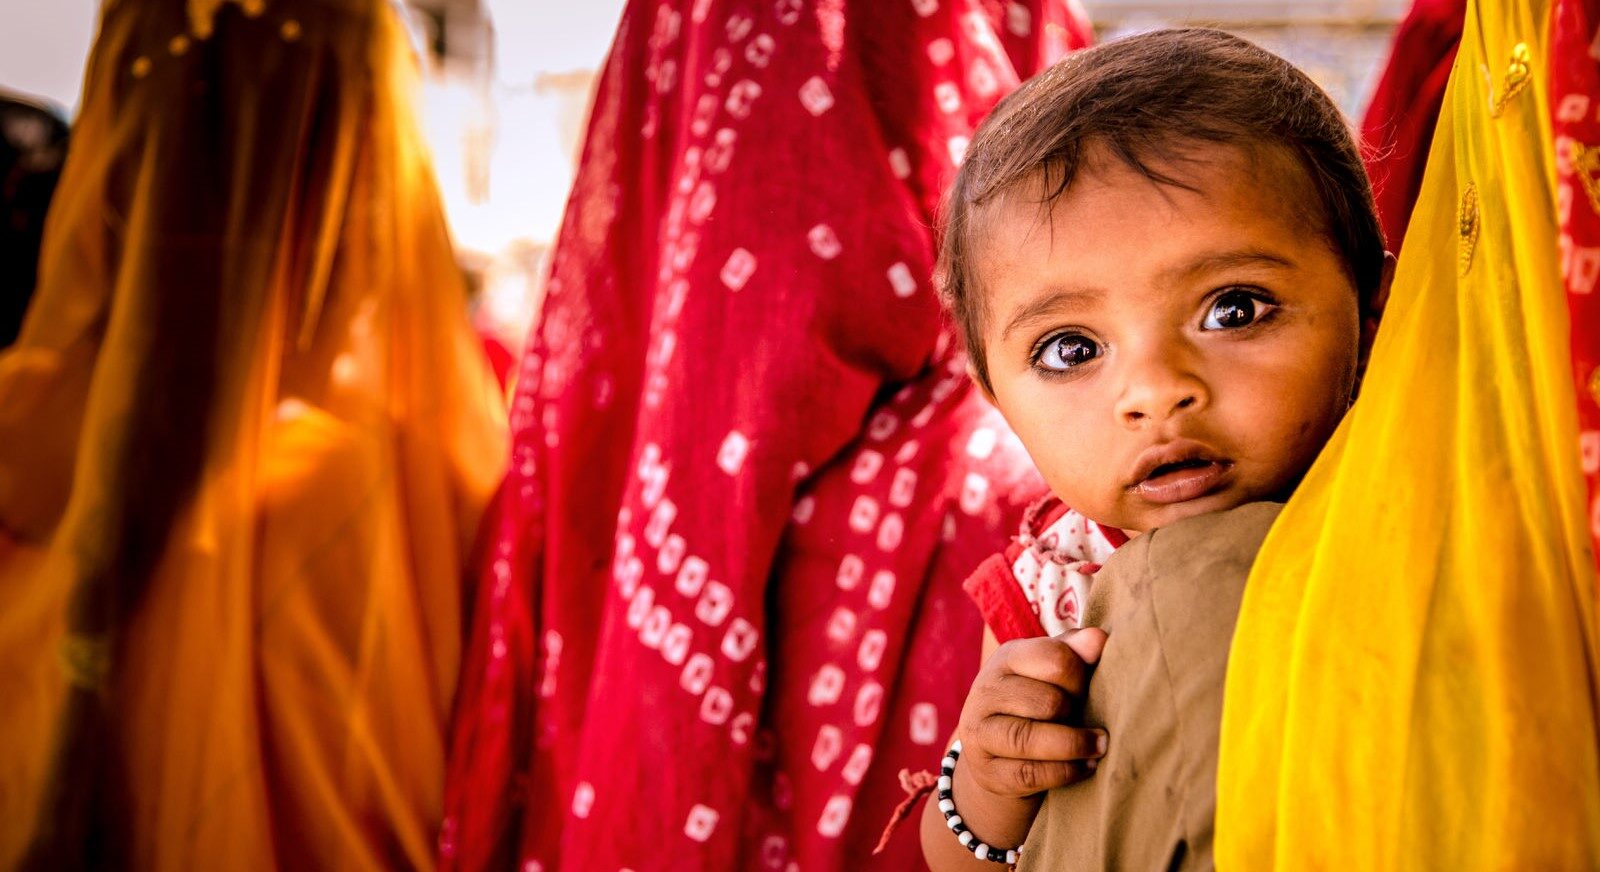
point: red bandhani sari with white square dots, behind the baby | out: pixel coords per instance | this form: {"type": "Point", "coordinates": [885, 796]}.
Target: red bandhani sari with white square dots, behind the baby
{"type": "Point", "coordinates": [750, 473]}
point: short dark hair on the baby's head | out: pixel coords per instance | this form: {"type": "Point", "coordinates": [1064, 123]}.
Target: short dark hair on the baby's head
{"type": "Point", "coordinates": [1150, 97]}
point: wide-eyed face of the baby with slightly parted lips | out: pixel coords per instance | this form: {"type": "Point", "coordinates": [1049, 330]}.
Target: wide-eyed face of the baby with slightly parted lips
{"type": "Point", "coordinates": [1166, 353]}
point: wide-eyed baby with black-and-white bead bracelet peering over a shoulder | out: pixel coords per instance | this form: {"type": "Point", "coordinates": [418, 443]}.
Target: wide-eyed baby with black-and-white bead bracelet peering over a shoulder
{"type": "Point", "coordinates": [1169, 270]}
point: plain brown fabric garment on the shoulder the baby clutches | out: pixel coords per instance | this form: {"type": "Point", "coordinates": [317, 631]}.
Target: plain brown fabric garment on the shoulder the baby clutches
{"type": "Point", "coordinates": [1169, 602]}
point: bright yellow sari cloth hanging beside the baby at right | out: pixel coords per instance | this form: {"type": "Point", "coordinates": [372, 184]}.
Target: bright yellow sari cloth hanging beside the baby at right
{"type": "Point", "coordinates": [1412, 684]}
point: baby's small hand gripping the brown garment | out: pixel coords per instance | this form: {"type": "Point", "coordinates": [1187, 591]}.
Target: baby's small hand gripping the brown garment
{"type": "Point", "coordinates": [1015, 742]}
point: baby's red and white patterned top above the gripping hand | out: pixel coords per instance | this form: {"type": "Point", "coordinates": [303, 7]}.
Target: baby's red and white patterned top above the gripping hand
{"type": "Point", "coordinates": [1042, 582]}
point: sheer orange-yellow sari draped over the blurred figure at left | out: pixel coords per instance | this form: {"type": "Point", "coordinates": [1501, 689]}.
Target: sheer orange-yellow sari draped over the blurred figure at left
{"type": "Point", "coordinates": [246, 441]}
